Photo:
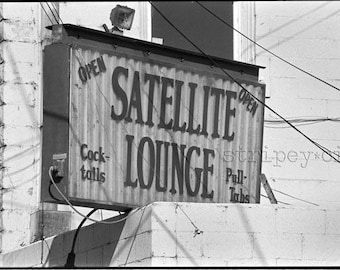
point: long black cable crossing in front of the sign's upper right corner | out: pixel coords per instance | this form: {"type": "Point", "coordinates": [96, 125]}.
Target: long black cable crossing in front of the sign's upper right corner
{"type": "Point", "coordinates": [232, 78]}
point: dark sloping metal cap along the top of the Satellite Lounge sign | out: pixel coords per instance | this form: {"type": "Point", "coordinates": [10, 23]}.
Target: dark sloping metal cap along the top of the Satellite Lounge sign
{"type": "Point", "coordinates": [137, 44]}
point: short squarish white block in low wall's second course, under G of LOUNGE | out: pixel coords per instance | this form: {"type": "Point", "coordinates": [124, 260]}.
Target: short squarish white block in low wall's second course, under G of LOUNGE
{"type": "Point", "coordinates": [190, 245]}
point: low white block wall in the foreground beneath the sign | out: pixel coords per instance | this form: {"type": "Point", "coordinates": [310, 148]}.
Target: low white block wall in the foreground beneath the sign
{"type": "Point", "coordinates": [192, 234]}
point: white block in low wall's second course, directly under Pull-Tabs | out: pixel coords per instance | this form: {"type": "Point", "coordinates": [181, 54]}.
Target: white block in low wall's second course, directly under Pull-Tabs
{"type": "Point", "coordinates": [228, 245]}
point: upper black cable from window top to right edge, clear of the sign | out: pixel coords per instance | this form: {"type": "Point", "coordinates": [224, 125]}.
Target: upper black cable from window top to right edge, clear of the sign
{"type": "Point", "coordinates": [302, 70]}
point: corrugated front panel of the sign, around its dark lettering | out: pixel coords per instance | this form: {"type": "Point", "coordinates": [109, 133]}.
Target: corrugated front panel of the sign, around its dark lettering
{"type": "Point", "coordinates": [91, 124]}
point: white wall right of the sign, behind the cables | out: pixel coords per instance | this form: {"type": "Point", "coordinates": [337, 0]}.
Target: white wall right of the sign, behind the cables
{"type": "Point", "coordinates": [302, 33]}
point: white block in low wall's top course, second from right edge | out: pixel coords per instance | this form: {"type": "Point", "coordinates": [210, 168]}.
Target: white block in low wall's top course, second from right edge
{"type": "Point", "coordinates": [300, 221]}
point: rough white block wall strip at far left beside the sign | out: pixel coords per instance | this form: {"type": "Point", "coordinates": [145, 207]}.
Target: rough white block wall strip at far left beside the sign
{"type": "Point", "coordinates": [21, 94]}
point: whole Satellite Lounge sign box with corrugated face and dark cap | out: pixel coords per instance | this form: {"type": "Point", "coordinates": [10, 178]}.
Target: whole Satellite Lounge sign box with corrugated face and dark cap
{"type": "Point", "coordinates": [141, 122]}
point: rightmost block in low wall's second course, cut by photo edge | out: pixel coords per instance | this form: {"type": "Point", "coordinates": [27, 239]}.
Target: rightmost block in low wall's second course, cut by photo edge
{"type": "Point", "coordinates": [324, 247]}
